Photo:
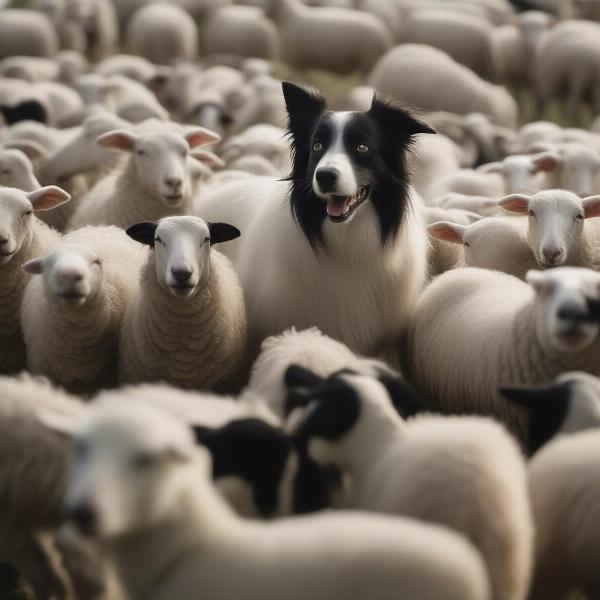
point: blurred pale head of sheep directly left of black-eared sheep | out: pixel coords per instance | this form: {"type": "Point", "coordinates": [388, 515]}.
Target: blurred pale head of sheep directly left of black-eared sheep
{"type": "Point", "coordinates": [72, 274]}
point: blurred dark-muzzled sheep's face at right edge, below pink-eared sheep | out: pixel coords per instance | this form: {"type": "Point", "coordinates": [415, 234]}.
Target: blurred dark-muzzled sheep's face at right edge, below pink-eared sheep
{"type": "Point", "coordinates": [563, 320]}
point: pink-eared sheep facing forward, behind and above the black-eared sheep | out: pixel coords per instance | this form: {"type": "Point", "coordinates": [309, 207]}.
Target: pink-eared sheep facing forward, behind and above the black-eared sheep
{"type": "Point", "coordinates": [154, 182]}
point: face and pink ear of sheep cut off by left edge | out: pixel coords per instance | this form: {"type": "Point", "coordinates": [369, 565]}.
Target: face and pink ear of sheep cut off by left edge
{"type": "Point", "coordinates": [16, 216]}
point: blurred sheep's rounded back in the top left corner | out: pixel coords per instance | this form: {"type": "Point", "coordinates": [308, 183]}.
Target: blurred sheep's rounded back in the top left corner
{"type": "Point", "coordinates": [26, 33]}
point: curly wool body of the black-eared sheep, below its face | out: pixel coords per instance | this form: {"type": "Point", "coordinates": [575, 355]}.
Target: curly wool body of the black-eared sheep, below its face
{"type": "Point", "coordinates": [191, 343]}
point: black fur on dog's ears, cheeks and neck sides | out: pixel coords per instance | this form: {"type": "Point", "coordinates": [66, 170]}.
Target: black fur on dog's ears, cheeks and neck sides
{"type": "Point", "coordinates": [388, 132]}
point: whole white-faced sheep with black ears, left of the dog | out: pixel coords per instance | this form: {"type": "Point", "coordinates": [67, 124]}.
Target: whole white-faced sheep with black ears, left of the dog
{"type": "Point", "coordinates": [187, 323]}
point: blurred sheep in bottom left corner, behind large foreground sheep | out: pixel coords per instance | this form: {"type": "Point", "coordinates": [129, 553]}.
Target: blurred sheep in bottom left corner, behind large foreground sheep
{"type": "Point", "coordinates": [35, 423]}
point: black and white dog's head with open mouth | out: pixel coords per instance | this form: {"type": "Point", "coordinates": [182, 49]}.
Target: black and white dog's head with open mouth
{"type": "Point", "coordinates": [341, 160]}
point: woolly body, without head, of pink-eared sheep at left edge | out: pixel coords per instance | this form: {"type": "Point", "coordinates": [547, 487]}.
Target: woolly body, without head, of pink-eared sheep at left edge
{"type": "Point", "coordinates": [38, 240]}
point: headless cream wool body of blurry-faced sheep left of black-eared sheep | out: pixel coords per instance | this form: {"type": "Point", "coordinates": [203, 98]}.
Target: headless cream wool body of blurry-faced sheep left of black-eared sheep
{"type": "Point", "coordinates": [77, 347]}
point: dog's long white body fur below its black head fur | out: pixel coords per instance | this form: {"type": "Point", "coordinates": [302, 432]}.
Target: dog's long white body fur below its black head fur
{"type": "Point", "coordinates": [357, 292]}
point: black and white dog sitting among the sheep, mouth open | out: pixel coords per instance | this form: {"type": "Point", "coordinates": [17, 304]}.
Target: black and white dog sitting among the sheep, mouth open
{"type": "Point", "coordinates": [339, 244]}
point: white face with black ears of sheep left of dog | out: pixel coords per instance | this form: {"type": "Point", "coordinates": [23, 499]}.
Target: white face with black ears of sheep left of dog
{"type": "Point", "coordinates": [182, 250]}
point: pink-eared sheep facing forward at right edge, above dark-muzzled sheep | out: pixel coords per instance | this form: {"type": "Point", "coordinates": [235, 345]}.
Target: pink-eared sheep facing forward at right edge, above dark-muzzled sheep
{"type": "Point", "coordinates": [558, 230]}
